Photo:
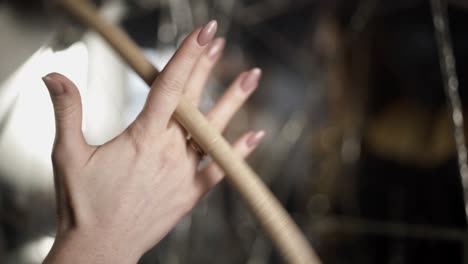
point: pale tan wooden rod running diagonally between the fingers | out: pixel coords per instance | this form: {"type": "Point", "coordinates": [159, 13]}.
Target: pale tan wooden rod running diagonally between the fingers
{"type": "Point", "coordinates": [284, 233]}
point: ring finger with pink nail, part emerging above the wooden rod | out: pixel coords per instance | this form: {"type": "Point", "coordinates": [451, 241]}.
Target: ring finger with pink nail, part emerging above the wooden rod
{"type": "Point", "coordinates": [234, 98]}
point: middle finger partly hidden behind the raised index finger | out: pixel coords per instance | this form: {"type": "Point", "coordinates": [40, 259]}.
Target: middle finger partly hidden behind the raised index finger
{"type": "Point", "coordinates": [202, 70]}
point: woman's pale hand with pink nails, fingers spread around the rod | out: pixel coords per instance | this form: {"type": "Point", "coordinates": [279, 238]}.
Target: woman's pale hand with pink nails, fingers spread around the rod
{"type": "Point", "coordinates": [118, 200]}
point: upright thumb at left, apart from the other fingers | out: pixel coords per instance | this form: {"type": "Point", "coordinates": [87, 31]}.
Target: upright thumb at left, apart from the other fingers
{"type": "Point", "coordinates": [68, 110]}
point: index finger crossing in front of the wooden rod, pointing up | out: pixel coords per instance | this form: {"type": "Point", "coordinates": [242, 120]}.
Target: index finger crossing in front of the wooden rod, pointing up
{"type": "Point", "coordinates": [168, 87]}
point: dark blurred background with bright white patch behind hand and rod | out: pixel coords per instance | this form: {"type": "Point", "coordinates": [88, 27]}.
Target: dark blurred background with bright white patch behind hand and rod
{"type": "Point", "coordinates": [360, 100]}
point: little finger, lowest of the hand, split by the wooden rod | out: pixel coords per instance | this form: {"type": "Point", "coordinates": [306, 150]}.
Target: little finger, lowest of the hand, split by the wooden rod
{"type": "Point", "coordinates": [212, 174]}
